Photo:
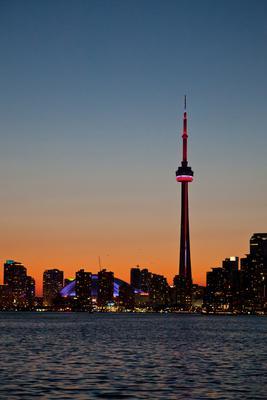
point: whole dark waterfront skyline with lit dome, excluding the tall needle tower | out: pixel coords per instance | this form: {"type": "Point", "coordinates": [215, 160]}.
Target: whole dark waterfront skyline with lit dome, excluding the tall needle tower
{"type": "Point", "coordinates": [229, 289]}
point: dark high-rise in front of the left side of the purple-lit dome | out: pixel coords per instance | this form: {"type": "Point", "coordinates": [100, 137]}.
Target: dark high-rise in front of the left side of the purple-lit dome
{"type": "Point", "coordinates": [83, 287]}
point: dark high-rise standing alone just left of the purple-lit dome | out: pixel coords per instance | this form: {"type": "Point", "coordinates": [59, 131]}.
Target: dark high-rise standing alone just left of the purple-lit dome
{"type": "Point", "coordinates": [52, 284]}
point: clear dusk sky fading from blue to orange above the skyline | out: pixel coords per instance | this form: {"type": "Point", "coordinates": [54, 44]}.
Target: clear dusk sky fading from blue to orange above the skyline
{"type": "Point", "coordinates": [91, 105]}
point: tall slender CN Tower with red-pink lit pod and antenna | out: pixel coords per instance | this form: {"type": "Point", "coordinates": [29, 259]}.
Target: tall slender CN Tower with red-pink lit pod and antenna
{"type": "Point", "coordinates": [184, 175]}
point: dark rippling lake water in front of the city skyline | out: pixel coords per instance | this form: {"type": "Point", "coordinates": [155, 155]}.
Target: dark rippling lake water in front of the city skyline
{"type": "Point", "coordinates": [105, 356]}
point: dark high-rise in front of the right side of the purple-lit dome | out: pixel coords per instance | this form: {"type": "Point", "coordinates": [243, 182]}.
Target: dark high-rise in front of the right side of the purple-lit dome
{"type": "Point", "coordinates": [105, 288]}
